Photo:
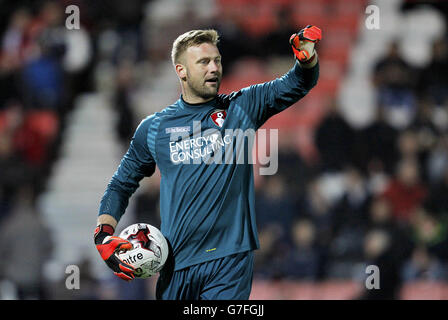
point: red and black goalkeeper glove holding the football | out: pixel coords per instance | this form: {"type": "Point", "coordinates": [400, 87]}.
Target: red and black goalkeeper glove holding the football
{"type": "Point", "coordinates": [108, 245]}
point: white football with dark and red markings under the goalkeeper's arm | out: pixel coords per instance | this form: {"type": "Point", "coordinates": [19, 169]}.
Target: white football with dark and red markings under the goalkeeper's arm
{"type": "Point", "coordinates": [150, 249]}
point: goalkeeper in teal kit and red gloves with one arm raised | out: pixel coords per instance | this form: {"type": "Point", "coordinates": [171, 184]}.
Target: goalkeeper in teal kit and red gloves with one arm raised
{"type": "Point", "coordinates": [207, 209]}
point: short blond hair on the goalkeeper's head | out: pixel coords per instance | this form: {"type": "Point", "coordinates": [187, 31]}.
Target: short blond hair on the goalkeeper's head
{"type": "Point", "coordinates": [192, 38]}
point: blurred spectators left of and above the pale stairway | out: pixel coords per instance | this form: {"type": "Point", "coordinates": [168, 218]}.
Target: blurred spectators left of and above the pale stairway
{"type": "Point", "coordinates": [44, 67]}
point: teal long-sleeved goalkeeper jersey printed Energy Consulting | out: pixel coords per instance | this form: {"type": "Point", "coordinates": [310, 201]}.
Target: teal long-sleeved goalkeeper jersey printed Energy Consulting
{"type": "Point", "coordinates": [207, 195]}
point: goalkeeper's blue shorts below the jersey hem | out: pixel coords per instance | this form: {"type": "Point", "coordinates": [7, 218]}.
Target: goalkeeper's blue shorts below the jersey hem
{"type": "Point", "coordinates": [227, 278]}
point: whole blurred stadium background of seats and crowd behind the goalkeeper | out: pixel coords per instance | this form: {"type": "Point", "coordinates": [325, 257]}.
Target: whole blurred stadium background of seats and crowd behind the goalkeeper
{"type": "Point", "coordinates": [363, 159]}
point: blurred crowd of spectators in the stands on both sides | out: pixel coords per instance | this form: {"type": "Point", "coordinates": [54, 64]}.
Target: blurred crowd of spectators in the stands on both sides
{"type": "Point", "coordinates": [375, 195]}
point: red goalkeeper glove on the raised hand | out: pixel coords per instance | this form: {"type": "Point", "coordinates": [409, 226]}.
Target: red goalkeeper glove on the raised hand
{"type": "Point", "coordinates": [303, 43]}
